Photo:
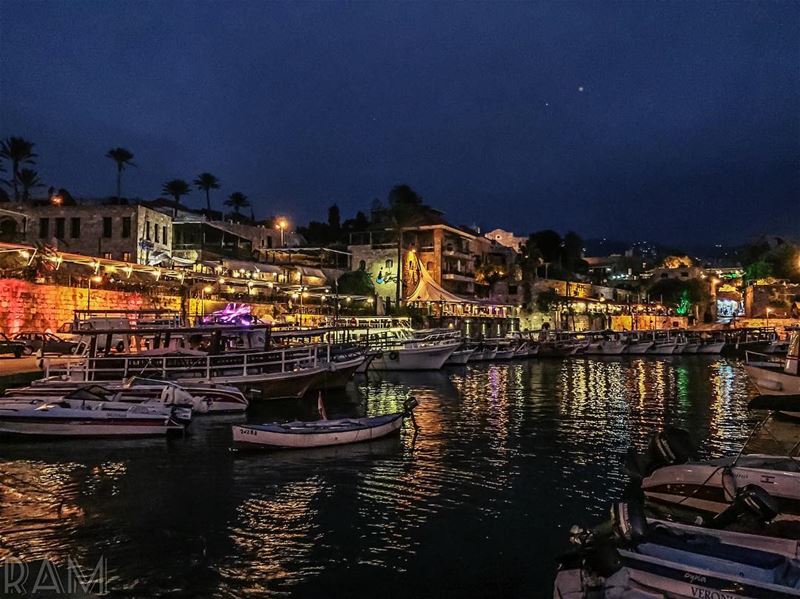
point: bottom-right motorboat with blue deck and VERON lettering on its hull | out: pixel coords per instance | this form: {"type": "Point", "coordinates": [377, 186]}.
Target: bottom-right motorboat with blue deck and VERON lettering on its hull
{"type": "Point", "coordinates": [630, 557]}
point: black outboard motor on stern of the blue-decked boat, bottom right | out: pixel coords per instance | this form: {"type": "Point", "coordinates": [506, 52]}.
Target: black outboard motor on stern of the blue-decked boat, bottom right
{"type": "Point", "coordinates": [598, 546]}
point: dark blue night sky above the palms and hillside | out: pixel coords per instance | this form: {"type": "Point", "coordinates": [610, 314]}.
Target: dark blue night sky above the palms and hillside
{"type": "Point", "coordinates": [687, 128]}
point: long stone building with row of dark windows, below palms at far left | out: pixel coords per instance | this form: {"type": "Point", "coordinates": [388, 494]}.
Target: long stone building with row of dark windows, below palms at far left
{"type": "Point", "coordinates": [126, 232]}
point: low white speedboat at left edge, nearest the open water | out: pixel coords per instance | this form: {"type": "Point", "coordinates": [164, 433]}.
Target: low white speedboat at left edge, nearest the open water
{"type": "Point", "coordinates": [66, 420]}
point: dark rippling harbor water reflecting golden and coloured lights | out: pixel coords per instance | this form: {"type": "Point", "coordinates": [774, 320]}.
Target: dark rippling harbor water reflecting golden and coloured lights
{"type": "Point", "coordinates": [477, 503]}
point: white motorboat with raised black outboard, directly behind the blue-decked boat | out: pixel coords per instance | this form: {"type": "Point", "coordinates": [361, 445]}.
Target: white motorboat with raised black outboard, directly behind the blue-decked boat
{"type": "Point", "coordinates": [672, 481]}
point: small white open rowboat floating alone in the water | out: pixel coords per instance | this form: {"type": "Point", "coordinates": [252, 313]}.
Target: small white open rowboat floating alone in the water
{"type": "Point", "coordinates": [321, 433]}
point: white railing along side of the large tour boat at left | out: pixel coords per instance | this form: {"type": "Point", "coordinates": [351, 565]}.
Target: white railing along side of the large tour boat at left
{"type": "Point", "coordinates": [184, 365]}
